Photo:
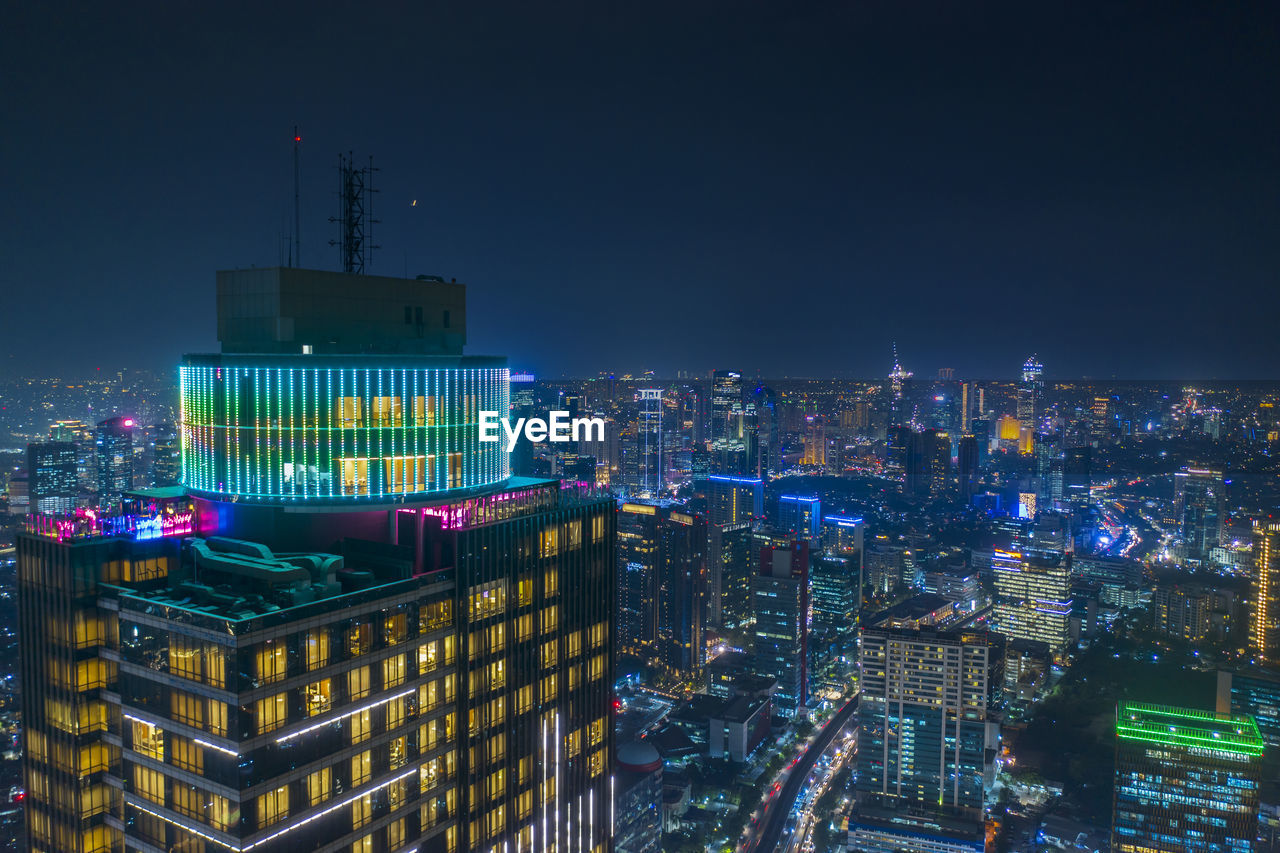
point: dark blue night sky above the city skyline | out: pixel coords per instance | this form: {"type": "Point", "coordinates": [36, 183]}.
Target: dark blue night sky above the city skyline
{"type": "Point", "coordinates": [647, 186]}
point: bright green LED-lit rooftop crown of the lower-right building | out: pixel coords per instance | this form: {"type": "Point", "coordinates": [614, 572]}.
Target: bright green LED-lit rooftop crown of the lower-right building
{"type": "Point", "coordinates": [1174, 727]}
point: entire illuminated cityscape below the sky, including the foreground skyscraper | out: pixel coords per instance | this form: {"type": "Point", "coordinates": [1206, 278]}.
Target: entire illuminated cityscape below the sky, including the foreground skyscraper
{"type": "Point", "coordinates": [899, 614]}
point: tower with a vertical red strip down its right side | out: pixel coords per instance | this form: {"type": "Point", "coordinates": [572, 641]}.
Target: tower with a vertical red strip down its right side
{"type": "Point", "coordinates": [780, 592]}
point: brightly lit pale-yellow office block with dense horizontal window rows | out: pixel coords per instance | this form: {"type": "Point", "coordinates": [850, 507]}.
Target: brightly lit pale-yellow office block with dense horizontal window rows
{"type": "Point", "coordinates": [1034, 596]}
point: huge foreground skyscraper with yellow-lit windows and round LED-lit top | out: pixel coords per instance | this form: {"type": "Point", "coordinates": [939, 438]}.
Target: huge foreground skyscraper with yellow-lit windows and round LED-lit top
{"type": "Point", "coordinates": [354, 631]}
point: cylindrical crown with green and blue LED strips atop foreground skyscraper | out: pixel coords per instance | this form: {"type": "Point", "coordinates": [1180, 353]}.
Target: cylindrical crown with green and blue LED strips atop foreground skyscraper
{"type": "Point", "coordinates": [310, 430]}
